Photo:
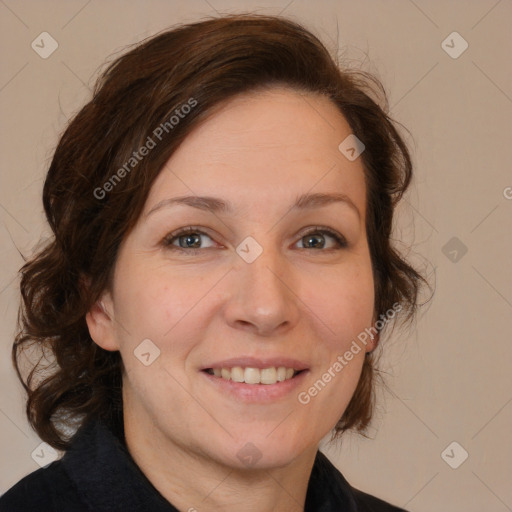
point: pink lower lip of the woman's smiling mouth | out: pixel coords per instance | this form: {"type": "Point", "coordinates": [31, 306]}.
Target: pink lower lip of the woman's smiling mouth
{"type": "Point", "coordinates": [255, 393]}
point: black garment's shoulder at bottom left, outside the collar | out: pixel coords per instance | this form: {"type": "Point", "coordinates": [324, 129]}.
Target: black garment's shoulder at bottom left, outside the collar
{"type": "Point", "coordinates": [46, 489]}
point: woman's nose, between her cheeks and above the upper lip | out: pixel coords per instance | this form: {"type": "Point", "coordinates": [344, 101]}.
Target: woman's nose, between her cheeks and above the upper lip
{"type": "Point", "coordinates": [265, 299]}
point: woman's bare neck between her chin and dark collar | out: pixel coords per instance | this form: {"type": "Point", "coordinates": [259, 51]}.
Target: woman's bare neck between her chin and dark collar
{"type": "Point", "coordinates": [192, 480]}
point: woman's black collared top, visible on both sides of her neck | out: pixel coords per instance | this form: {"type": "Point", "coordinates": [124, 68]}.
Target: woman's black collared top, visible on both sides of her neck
{"type": "Point", "coordinates": [98, 474]}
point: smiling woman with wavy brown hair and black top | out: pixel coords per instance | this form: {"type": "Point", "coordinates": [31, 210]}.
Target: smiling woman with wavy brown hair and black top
{"type": "Point", "coordinates": [241, 264]}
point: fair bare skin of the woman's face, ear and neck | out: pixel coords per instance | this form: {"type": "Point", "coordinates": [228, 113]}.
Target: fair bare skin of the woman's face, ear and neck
{"type": "Point", "coordinates": [303, 297]}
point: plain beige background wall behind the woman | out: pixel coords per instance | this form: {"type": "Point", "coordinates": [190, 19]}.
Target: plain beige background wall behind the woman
{"type": "Point", "coordinates": [450, 374]}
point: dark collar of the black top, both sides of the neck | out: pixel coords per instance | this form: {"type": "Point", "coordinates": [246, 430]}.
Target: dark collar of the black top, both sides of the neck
{"type": "Point", "coordinates": [107, 478]}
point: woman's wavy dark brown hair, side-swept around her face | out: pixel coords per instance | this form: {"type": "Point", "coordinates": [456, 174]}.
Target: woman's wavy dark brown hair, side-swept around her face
{"type": "Point", "coordinates": [207, 63]}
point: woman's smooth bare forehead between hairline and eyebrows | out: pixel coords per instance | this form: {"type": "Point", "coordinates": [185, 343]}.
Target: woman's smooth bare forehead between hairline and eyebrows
{"type": "Point", "coordinates": [267, 146]}
